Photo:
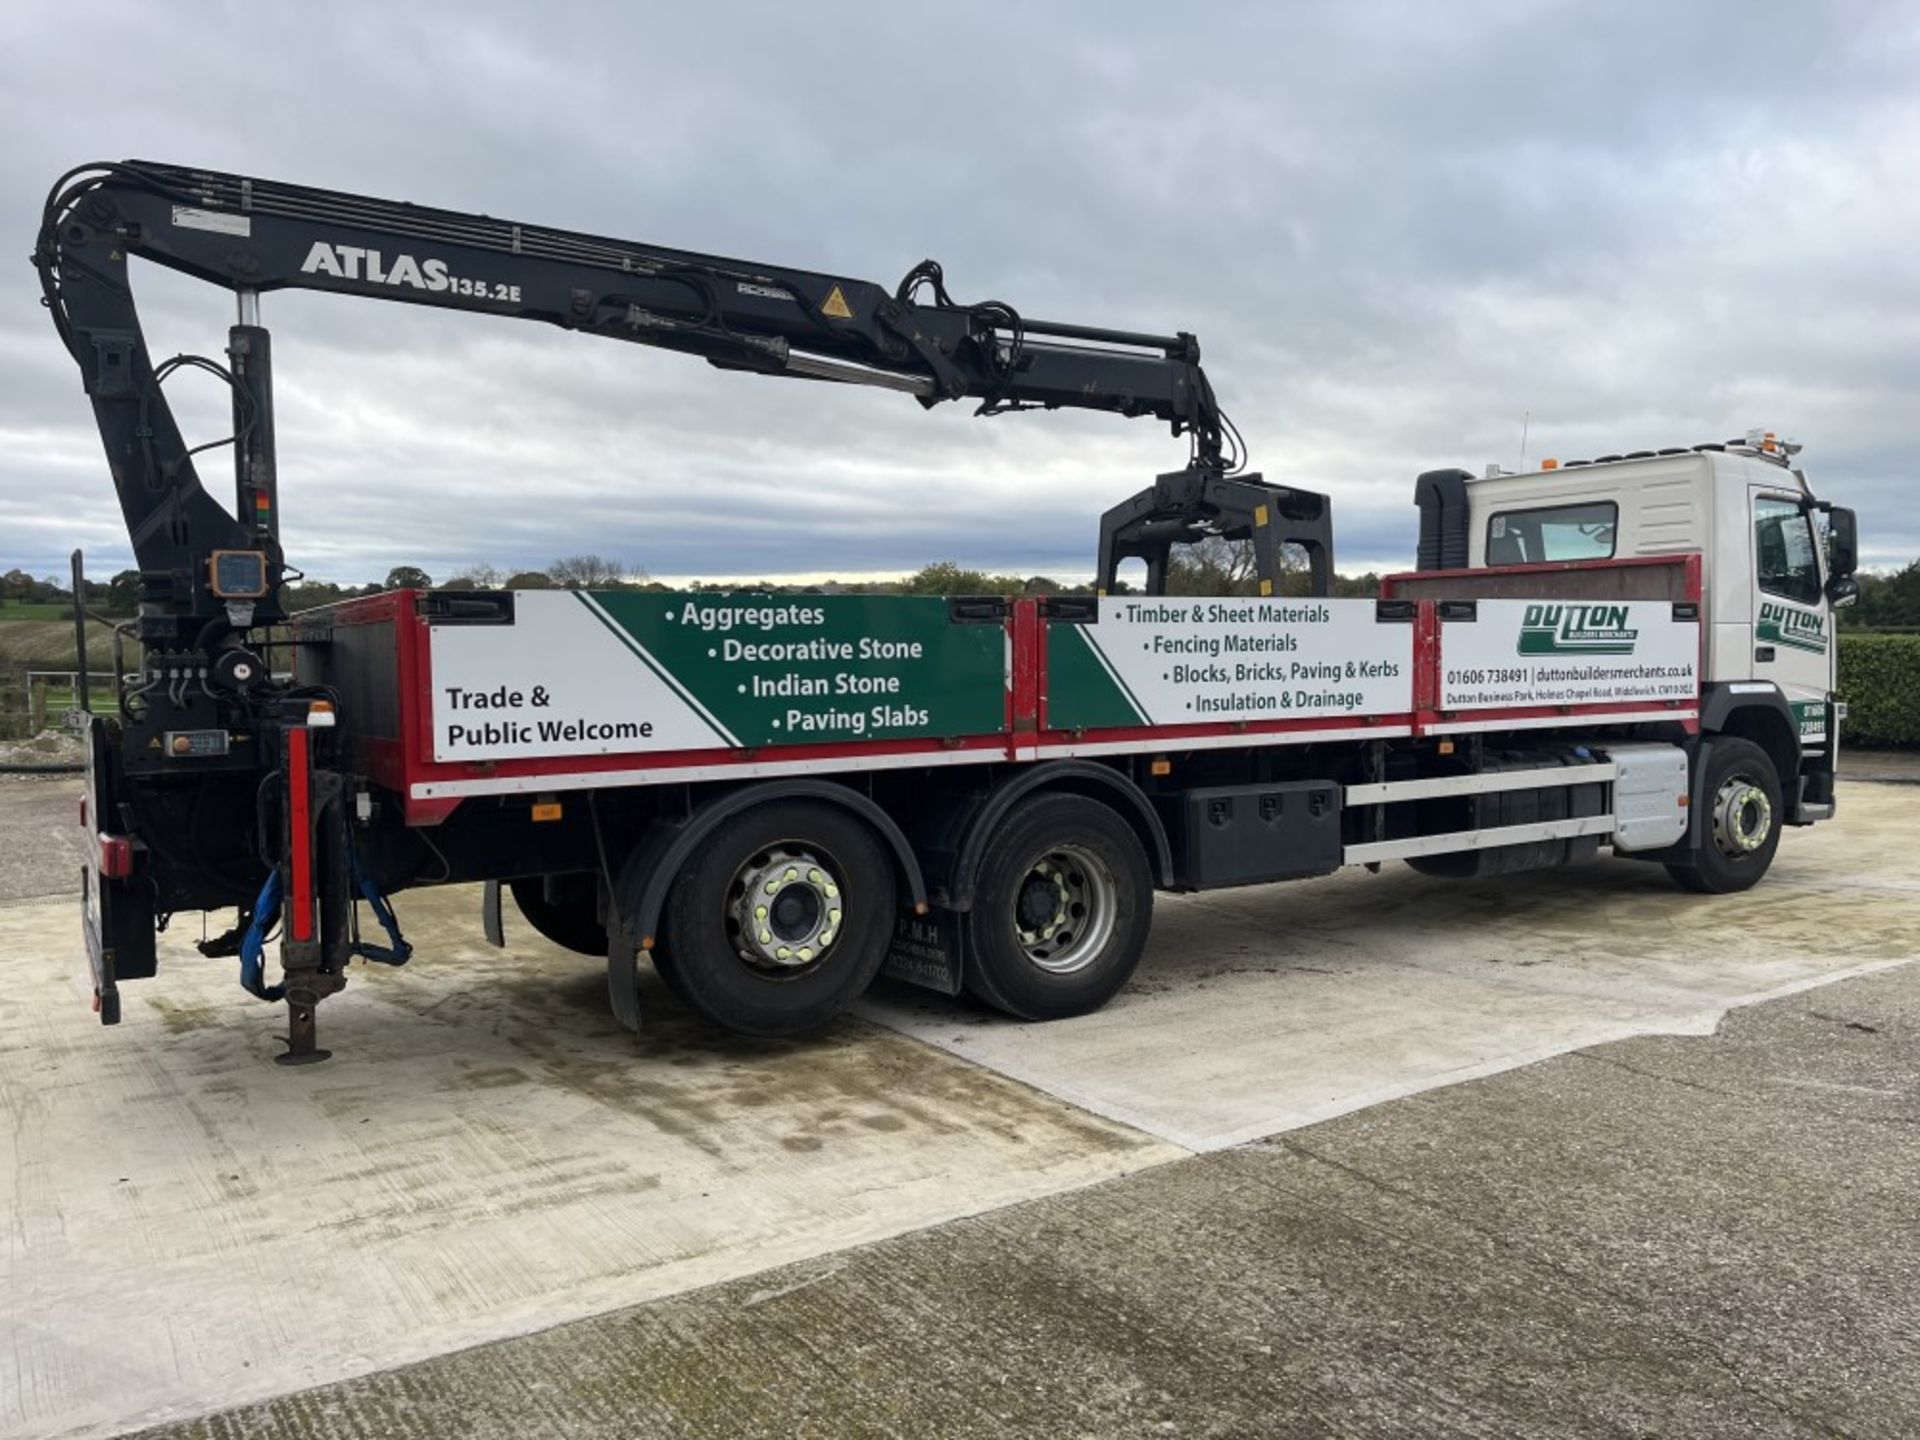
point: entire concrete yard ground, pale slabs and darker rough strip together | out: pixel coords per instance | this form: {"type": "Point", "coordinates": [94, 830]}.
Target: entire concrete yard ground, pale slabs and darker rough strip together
{"type": "Point", "coordinates": [491, 1157]}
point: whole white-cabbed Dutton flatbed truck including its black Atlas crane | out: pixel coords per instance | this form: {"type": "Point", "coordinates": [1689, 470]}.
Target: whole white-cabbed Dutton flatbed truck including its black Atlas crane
{"type": "Point", "coordinates": [775, 798]}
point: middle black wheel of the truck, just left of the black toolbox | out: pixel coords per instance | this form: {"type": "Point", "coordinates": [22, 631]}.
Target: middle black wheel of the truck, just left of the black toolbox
{"type": "Point", "coordinates": [1061, 911]}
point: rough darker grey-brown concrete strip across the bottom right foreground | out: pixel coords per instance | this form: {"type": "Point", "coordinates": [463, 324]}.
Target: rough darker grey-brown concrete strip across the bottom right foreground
{"type": "Point", "coordinates": [1704, 1237]}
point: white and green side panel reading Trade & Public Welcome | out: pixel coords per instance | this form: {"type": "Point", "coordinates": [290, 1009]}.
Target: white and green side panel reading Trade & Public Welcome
{"type": "Point", "coordinates": [608, 673]}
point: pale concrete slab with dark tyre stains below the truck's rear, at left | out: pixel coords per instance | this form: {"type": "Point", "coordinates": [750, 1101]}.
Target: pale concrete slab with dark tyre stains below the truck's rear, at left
{"type": "Point", "coordinates": [489, 1153]}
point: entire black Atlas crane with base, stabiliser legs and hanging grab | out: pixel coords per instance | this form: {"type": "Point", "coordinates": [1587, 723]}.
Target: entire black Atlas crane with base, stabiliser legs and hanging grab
{"type": "Point", "coordinates": [208, 732]}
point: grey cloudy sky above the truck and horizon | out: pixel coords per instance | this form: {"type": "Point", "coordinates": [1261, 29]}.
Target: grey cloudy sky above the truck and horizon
{"type": "Point", "coordinates": [1395, 228]}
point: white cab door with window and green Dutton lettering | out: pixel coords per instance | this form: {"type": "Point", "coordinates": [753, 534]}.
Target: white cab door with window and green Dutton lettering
{"type": "Point", "coordinates": [1792, 627]}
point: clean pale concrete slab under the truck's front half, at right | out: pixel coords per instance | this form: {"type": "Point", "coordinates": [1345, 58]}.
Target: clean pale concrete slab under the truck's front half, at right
{"type": "Point", "coordinates": [1282, 1005]}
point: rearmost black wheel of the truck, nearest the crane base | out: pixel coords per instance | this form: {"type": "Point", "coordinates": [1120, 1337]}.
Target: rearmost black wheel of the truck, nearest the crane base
{"type": "Point", "coordinates": [780, 921]}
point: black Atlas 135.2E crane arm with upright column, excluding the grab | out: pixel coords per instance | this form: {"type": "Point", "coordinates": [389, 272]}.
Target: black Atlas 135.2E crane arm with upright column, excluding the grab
{"type": "Point", "coordinates": [262, 235]}
